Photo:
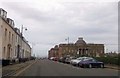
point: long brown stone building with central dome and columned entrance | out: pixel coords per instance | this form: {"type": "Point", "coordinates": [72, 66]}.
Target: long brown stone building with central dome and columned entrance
{"type": "Point", "coordinates": [79, 48]}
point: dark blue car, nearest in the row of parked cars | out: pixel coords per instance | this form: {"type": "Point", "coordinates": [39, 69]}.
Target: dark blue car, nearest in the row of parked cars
{"type": "Point", "coordinates": [91, 62]}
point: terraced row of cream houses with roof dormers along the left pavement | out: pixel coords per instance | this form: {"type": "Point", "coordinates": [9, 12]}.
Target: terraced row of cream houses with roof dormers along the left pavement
{"type": "Point", "coordinates": [13, 45]}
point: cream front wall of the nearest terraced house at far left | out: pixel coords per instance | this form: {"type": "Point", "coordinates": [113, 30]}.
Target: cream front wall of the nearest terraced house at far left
{"type": "Point", "coordinates": [8, 41]}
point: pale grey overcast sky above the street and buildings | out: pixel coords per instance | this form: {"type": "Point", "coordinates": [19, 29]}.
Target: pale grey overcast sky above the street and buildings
{"type": "Point", "coordinates": [50, 22]}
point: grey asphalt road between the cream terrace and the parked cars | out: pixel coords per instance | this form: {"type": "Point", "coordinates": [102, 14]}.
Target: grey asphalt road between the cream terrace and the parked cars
{"type": "Point", "coordinates": [52, 68]}
